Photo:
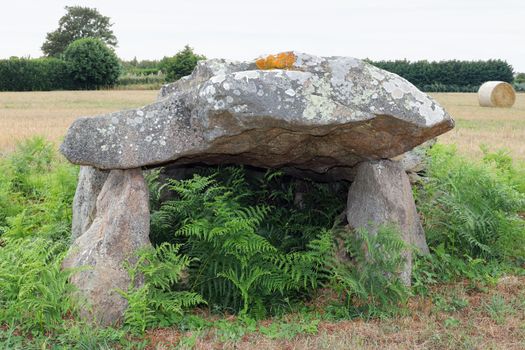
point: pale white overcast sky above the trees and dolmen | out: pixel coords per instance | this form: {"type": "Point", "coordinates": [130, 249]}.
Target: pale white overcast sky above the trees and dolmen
{"type": "Point", "coordinates": [243, 29]}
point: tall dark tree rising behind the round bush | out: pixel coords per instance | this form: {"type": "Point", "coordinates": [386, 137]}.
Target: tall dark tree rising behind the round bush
{"type": "Point", "coordinates": [78, 22]}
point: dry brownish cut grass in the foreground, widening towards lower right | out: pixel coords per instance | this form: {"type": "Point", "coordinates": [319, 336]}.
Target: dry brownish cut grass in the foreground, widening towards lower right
{"type": "Point", "coordinates": [490, 319]}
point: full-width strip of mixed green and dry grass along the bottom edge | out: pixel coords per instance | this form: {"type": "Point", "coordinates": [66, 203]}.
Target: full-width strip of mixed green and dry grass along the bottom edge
{"type": "Point", "coordinates": [493, 319]}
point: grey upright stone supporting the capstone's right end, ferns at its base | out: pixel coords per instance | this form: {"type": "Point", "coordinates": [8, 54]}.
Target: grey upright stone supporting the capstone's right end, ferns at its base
{"type": "Point", "coordinates": [381, 194]}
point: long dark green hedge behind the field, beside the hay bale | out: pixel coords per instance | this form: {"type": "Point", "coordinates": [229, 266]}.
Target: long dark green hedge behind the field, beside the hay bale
{"type": "Point", "coordinates": [453, 75]}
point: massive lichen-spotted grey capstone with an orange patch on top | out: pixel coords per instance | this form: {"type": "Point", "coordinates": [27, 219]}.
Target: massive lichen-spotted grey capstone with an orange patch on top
{"type": "Point", "coordinates": [293, 110]}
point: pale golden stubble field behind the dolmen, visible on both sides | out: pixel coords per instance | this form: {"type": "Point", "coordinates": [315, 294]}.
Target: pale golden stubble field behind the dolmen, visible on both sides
{"type": "Point", "coordinates": [24, 114]}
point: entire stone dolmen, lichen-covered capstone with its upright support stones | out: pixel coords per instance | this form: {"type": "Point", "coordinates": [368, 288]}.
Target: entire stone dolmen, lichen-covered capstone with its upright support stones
{"type": "Point", "coordinates": [325, 118]}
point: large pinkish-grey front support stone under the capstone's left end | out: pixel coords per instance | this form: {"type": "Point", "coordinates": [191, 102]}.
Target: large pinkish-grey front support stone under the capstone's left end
{"type": "Point", "coordinates": [120, 227]}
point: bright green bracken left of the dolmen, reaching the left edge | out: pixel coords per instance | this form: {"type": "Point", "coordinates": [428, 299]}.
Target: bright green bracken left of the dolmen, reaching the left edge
{"type": "Point", "coordinates": [36, 192]}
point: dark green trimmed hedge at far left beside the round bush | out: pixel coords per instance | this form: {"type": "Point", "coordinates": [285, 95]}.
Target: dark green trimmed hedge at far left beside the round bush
{"type": "Point", "coordinates": [41, 74]}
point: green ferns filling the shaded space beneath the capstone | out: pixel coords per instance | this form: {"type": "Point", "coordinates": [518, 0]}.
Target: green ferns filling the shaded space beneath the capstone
{"type": "Point", "coordinates": [253, 248]}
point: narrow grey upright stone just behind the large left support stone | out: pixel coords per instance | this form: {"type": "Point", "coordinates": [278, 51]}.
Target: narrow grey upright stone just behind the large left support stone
{"type": "Point", "coordinates": [90, 182]}
